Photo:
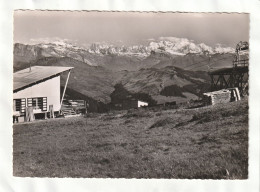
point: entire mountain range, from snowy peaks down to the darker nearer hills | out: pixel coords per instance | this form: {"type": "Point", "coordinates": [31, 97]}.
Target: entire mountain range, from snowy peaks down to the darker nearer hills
{"type": "Point", "coordinates": [170, 69]}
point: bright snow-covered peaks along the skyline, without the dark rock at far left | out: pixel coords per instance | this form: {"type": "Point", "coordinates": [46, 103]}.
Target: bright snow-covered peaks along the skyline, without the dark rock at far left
{"type": "Point", "coordinates": [169, 45]}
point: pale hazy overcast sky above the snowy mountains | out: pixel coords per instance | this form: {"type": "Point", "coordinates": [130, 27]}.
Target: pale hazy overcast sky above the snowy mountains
{"type": "Point", "coordinates": [130, 28]}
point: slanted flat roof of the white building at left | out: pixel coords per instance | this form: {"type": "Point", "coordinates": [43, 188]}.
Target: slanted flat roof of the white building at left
{"type": "Point", "coordinates": [26, 78]}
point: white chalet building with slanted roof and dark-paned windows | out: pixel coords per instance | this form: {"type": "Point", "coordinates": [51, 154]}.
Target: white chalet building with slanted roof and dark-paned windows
{"type": "Point", "coordinates": [38, 88]}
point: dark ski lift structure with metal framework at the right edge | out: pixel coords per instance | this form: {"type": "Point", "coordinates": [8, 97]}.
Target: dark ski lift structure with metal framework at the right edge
{"type": "Point", "coordinates": [235, 76]}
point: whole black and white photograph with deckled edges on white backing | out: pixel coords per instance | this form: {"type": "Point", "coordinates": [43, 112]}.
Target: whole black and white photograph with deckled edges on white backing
{"type": "Point", "coordinates": [145, 95]}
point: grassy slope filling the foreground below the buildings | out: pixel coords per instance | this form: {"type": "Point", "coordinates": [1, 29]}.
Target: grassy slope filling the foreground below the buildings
{"type": "Point", "coordinates": [205, 143]}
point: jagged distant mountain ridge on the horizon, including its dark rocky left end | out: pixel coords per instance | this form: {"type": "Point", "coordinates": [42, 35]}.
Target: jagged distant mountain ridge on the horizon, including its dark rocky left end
{"type": "Point", "coordinates": [165, 45]}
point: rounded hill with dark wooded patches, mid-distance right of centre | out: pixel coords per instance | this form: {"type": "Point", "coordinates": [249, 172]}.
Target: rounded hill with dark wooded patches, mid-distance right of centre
{"type": "Point", "coordinates": [154, 81]}
